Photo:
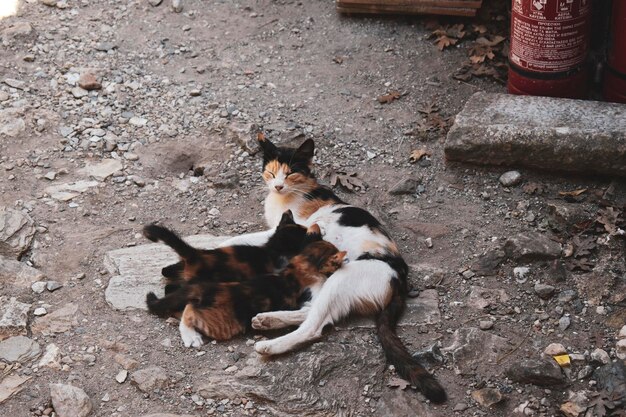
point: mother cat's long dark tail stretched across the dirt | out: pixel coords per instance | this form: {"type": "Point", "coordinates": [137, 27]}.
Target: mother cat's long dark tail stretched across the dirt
{"type": "Point", "coordinates": [397, 354]}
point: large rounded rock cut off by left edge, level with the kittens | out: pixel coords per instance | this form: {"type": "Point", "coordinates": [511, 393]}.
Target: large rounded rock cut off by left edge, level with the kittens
{"type": "Point", "coordinates": [17, 230]}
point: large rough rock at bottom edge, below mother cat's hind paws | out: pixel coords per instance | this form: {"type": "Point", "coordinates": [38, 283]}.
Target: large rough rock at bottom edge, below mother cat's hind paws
{"type": "Point", "coordinates": [310, 382]}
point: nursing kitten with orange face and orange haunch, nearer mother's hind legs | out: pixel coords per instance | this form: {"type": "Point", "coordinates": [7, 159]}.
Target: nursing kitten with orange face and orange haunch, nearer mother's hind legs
{"type": "Point", "coordinates": [221, 310]}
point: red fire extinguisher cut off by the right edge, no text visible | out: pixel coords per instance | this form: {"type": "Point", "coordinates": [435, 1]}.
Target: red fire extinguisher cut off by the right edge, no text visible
{"type": "Point", "coordinates": [615, 75]}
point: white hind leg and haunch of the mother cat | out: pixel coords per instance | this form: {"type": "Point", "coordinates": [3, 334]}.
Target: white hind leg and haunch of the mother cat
{"type": "Point", "coordinates": [364, 281]}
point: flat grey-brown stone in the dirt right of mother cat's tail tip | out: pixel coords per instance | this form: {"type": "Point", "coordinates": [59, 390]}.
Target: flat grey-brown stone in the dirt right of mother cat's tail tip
{"type": "Point", "coordinates": [475, 351]}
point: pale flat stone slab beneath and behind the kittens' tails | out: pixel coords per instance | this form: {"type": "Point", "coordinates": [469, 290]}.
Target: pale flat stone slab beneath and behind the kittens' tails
{"type": "Point", "coordinates": [137, 270]}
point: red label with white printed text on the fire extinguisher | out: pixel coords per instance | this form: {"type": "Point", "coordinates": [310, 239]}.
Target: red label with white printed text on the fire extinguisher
{"type": "Point", "coordinates": [549, 35]}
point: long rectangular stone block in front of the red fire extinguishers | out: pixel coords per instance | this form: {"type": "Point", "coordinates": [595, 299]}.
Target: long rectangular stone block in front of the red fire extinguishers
{"type": "Point", "coordinates": [540, 132]}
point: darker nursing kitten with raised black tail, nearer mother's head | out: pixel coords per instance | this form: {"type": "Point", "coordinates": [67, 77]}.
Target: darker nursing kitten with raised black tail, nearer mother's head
{"type": "Point", "coordinates": [231, 263]}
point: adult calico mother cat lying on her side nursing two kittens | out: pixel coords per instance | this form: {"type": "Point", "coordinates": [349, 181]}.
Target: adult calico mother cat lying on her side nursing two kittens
{"type": "Point", "coordinates": [373, 282]}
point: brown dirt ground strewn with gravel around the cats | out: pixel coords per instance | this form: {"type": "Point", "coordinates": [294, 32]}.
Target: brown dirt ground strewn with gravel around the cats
{"type": "Point", "coordinates": [179, 93]}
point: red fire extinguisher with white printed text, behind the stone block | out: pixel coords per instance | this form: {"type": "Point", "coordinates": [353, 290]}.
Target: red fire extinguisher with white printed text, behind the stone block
{"type": "Point", "coordinates": [549, 47]}
